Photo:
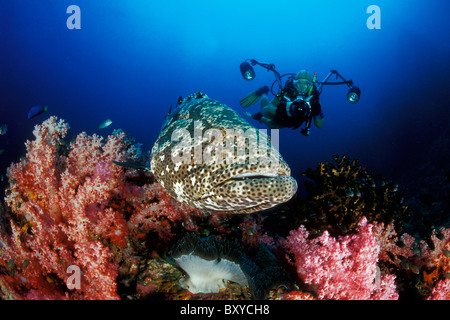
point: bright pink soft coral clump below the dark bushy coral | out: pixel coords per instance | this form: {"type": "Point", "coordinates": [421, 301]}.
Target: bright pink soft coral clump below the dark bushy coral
{"type": "Point", "coordinates": [343, 268]}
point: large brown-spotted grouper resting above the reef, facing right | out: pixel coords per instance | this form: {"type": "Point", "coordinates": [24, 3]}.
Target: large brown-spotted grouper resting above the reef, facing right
{"type": "Point", "coordinates": [247, 184]}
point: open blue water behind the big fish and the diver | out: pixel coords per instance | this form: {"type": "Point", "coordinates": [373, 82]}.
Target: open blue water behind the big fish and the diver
{"type": "Point", "coordinates": [131, 60]}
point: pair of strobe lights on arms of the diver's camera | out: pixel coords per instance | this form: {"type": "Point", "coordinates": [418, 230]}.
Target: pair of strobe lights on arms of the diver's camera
{"type": "Point", "coordinates": [248, 73]}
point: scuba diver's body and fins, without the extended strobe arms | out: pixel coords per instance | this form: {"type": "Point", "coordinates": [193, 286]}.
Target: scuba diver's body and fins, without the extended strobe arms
{"type": "Point", "coordinates": [295, 104]}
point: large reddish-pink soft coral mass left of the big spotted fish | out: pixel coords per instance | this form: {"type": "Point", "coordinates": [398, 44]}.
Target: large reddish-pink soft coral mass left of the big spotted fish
{"type": "Point", "coordinates": [71, 206]}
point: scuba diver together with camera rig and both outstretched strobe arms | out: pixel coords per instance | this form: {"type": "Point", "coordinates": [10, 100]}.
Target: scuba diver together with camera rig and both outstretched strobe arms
{"type": "Point", "coordinates": [296, 102]}
